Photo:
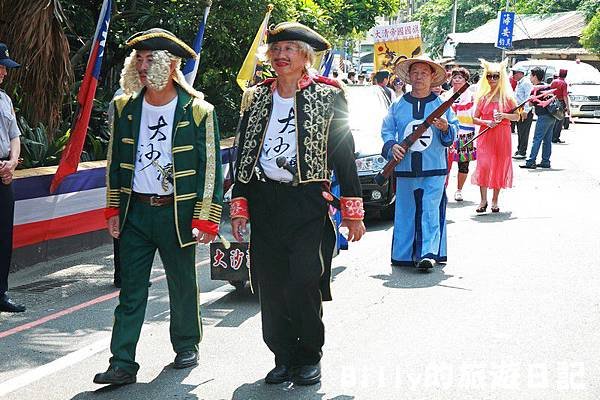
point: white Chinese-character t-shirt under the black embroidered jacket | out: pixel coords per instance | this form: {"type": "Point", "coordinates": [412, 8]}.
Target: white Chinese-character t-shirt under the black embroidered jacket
{"type": "Point", "coordinates": [280, 140]}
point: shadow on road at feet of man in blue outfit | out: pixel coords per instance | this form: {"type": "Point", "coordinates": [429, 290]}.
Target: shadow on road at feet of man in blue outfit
{"type": "Point", "coordinates": [412, 278]}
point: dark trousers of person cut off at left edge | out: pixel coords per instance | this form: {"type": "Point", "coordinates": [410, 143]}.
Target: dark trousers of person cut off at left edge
{"type": "Point", "coordinates": [7, 211]}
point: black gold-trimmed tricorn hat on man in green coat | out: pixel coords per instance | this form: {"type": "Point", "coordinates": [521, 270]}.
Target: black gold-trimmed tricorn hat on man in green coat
{"type": "Point", "coordinates": [160, 39]}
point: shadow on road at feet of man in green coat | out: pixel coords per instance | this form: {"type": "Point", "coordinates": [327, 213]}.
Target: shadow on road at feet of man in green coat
{"type": "Point", "coordinates": [168, 381]}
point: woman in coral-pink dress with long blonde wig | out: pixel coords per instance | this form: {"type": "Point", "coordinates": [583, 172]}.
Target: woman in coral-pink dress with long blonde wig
{"type": "Point", "coordinates": [494, 99]}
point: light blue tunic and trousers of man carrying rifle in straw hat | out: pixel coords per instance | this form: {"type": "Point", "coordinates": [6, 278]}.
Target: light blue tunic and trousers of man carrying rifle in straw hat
{"type": "Point", "coordinates": [420, 219]}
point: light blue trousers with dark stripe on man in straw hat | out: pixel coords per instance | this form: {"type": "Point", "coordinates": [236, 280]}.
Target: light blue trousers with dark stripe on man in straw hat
{"type": "Point", "coordinates": [420, 220]}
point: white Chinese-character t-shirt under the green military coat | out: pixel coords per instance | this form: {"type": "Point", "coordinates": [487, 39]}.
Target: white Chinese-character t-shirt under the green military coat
{"type": "Point", "coordinates": [154, 160]}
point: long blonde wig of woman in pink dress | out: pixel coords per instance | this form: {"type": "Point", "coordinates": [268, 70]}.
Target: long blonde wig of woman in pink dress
{"type": "Point", "coordinates": [506, 96]}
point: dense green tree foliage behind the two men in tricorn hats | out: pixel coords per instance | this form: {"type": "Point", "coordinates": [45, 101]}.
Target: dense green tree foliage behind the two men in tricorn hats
{"type": "Point", "coordinates": [231, 27]}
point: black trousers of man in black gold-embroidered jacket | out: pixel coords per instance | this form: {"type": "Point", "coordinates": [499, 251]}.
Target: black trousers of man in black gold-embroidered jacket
{"type": "Point", "coordinates": [288, 225]}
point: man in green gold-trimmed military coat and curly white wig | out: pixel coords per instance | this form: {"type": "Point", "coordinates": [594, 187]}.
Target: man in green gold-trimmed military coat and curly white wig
{"type": "Point", "coordinates": [164, 192]}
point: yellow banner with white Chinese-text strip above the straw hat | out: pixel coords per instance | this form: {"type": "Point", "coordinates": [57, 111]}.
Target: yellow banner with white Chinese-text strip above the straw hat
{"type": "Point", "coordinates": [393, 41]}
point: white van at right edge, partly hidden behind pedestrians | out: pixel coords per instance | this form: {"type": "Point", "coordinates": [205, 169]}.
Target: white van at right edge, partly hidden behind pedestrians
{"type": "Point", "coordinates": [583, 80]}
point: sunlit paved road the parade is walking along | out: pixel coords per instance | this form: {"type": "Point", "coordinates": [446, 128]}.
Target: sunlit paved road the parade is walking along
{"type": "Point", "coordinates": [513, 314]}
